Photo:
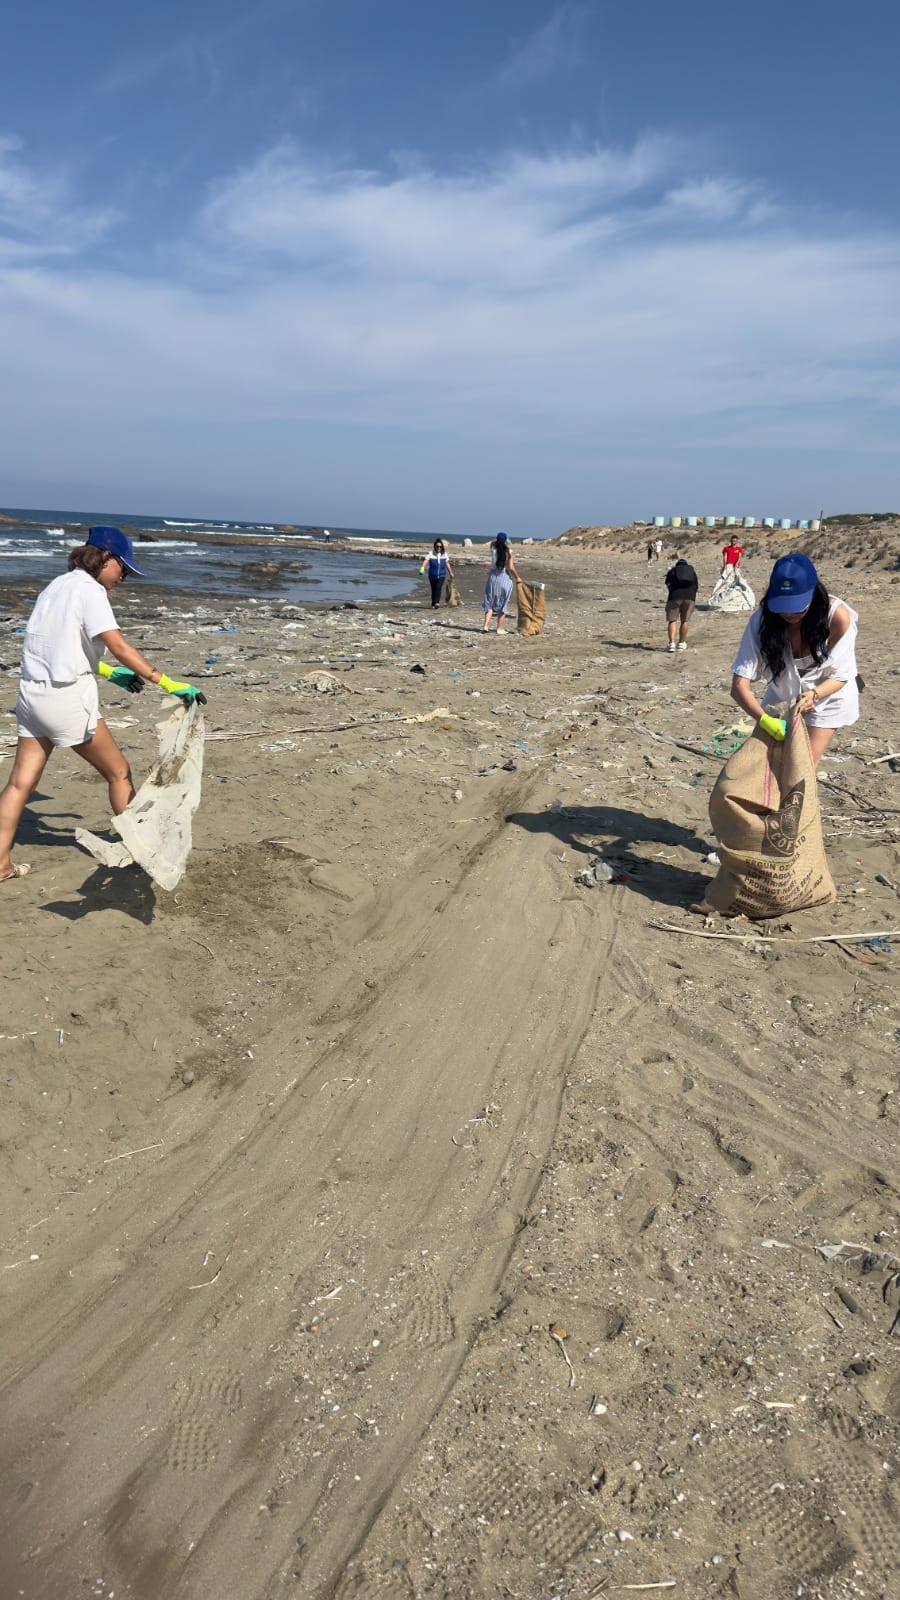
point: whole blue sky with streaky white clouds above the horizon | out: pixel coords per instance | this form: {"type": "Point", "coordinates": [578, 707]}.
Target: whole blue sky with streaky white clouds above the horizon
{"type": "Point", "coordinates": [451, 266]}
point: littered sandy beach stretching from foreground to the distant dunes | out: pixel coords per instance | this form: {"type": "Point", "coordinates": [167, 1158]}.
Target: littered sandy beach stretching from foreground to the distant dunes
{"type": "Point", "coordinates": [305, 1161]}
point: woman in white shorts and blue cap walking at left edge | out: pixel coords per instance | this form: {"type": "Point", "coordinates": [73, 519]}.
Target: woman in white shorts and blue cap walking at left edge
{"type": "Point", "coordinates": [58, 703]}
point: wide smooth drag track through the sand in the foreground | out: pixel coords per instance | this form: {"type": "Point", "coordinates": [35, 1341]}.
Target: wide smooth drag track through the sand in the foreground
{"type": "Point", "coordinates": [385, 1194]}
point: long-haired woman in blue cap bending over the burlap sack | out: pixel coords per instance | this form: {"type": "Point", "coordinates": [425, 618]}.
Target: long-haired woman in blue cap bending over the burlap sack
{"type": "Point", "coordinates": [803, 642]}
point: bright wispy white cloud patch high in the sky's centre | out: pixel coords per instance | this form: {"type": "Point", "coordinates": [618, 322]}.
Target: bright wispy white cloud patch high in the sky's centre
{"type": "Point", "coordinates": [508, 225]}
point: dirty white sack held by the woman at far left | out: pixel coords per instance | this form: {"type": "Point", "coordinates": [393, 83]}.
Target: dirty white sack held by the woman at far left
{"type": "Point", "coordinates": [156, 826]}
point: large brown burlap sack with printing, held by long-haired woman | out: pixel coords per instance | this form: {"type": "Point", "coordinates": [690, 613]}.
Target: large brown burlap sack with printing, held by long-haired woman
{"type": "Point", "coordinates": [765, 814]}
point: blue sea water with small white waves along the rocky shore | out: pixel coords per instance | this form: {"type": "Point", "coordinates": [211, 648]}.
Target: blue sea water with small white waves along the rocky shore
{"type": "Point", "coordinates": [34, 546]}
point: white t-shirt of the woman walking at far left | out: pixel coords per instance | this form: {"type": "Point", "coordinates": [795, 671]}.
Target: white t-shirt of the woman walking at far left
{"type": "Point", "coordinates": [62, 636]}
